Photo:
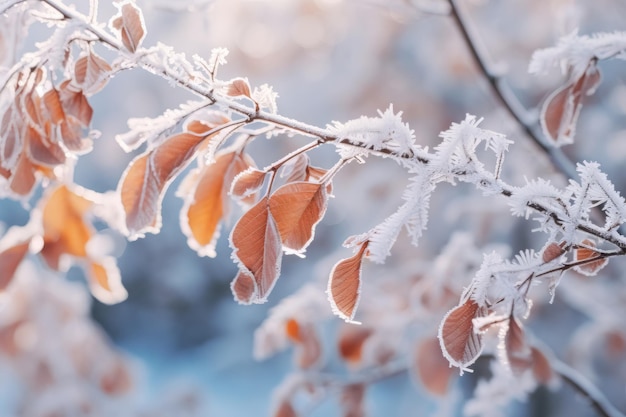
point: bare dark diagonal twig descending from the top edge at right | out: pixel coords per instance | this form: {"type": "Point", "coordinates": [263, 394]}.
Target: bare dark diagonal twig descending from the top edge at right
{"type": "Point", "coordinates": [507, 97]}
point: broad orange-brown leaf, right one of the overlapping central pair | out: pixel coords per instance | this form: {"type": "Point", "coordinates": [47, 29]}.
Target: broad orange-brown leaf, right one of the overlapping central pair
{"type": "Point", "coordinates": [297, 207]}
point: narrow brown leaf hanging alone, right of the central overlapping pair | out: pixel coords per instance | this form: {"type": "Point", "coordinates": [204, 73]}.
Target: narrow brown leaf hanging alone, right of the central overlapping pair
{"type": "Point", "coordinates": [344, 285]}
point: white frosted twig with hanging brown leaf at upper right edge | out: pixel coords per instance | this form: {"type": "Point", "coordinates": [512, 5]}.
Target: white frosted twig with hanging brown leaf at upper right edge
{"type": "Point", "coordinates": [578, 57]}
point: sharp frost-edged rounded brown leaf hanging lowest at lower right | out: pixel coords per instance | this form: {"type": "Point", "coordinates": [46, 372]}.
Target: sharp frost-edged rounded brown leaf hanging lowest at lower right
{"type": "Point", "coordinates": [460, 344]}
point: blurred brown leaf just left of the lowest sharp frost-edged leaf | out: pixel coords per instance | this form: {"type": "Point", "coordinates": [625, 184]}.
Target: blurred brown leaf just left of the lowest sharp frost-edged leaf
{"type": "Point", "coordinates": [431, 368]}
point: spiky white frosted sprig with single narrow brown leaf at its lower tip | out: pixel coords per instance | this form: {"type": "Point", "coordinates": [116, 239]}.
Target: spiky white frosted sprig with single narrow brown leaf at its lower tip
{"type": "Point", "coordinates": [454, 159]}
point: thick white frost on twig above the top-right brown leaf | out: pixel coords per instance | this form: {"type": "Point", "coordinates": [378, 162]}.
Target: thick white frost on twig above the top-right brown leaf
{"type": "Point", "coordinates": [575, 51]}
